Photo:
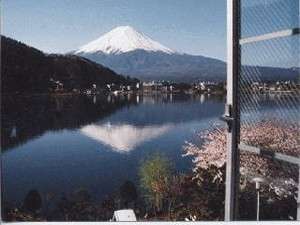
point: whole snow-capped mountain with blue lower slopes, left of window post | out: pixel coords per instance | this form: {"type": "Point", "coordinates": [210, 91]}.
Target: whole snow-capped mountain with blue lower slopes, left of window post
{"type": "Point", "coordinates": [133, 53]}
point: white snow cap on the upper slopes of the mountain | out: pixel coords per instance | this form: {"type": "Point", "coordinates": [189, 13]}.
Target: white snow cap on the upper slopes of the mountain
{"type": "Point", "coordinates": [123, 39]}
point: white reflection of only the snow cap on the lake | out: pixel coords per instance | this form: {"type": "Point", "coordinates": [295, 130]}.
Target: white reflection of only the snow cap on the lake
{"type": "Point", "coordinates": [123, 138]}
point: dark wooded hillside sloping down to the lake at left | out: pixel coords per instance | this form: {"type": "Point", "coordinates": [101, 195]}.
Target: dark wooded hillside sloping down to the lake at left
{"type": "Point", "coordinates": [25, 69]}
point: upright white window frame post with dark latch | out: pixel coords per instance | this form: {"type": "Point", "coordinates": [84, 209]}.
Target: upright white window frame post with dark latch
{"type": "Point", "coordinates": [232, 163]}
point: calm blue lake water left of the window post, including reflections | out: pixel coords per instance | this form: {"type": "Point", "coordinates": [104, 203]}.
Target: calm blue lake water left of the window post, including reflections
{"type": "Point", "coordinates": [59, 144]}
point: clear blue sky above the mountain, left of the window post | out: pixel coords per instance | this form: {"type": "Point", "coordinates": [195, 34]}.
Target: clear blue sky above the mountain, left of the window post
{"type": "Point", "coordinates": [57, 26]}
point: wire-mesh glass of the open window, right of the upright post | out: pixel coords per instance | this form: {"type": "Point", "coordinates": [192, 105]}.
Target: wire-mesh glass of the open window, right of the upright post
{"type": "Point", "coordinates": [269, 97]}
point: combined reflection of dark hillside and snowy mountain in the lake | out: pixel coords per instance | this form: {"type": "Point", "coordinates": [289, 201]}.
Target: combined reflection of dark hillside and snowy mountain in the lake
{"type": "Point", "coordinates": [26, 118]}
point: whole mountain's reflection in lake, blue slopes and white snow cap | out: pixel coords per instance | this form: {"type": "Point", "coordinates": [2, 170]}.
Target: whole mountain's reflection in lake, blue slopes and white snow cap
{"type": "Point", "coordinates": [154, 116]}
